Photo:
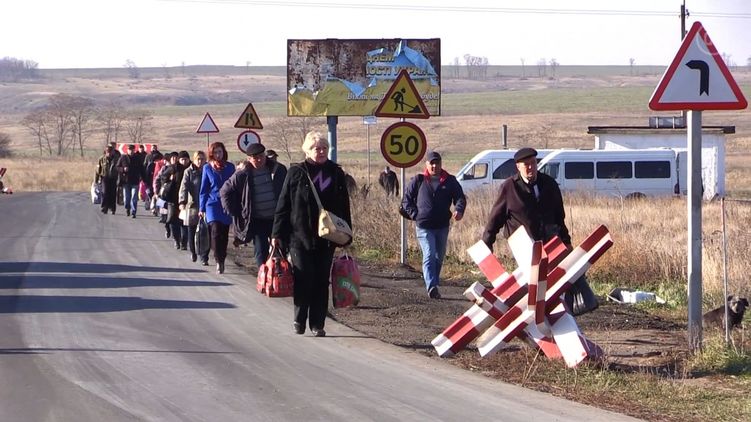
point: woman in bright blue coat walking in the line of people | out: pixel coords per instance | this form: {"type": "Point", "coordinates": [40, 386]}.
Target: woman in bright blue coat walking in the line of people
{"type": "Point", "coordinates": [215, 173]}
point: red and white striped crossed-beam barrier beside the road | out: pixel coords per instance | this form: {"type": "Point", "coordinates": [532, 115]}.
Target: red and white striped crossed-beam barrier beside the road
{"type": "Point", "coordinates": [540, 318]}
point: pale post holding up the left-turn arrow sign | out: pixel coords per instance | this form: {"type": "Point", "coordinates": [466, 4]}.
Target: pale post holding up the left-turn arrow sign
{"type": "Point", "coordinates": [694, 231]}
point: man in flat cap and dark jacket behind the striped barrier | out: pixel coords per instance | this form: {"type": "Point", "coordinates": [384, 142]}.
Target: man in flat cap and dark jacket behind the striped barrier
{"type": "Point", "coordinates": [533, 200]}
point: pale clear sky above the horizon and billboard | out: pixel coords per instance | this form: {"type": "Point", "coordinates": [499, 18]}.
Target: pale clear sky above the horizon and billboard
{"type": "Point", "coordinates": [156, 33]}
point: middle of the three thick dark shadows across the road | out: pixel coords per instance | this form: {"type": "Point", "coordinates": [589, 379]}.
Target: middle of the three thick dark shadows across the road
{"type": "Point", "coordinates": [60, 282]}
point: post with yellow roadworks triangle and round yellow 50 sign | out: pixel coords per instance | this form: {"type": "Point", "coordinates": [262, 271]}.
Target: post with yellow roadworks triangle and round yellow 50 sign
{"type": "Point", "coordinates": [403, 144]}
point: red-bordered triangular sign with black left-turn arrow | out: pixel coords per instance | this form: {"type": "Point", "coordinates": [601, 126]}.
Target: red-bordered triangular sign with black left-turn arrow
{"type": "Point", "coordinates": [697, 79]}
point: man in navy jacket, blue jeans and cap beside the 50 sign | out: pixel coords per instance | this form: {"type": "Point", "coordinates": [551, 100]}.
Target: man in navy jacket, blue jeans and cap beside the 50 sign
{"type": "Point", "coordinates": [427, 200]}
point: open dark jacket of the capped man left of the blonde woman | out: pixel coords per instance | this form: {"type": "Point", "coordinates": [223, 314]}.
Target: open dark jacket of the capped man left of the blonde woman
{"type": "Point", "coordinates": [237, 194]}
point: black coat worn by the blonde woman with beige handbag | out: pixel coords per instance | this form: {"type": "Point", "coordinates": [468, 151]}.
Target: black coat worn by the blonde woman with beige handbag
{"type": "Point", "coordinates": [296, 217]}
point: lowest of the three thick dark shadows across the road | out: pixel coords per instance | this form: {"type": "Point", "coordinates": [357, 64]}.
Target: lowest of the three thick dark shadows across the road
{"type": "Point", "coordinates": [96, 304]}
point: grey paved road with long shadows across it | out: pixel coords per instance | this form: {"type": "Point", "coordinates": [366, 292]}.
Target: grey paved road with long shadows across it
{"type": "Point", "coordinates": [102, 320]}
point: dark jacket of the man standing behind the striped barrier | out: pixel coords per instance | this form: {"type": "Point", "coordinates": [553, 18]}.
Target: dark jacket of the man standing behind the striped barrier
{"type": "Point", "coordinates": [517, 206]}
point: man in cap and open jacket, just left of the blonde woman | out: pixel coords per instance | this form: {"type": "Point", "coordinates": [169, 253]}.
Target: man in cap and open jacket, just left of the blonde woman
{"type": "Point", "coordinates": [250, 197]}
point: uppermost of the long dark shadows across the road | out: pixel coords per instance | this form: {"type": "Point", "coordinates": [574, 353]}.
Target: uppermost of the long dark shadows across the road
{"type": "Point", "coordinates": [79, 267]}
